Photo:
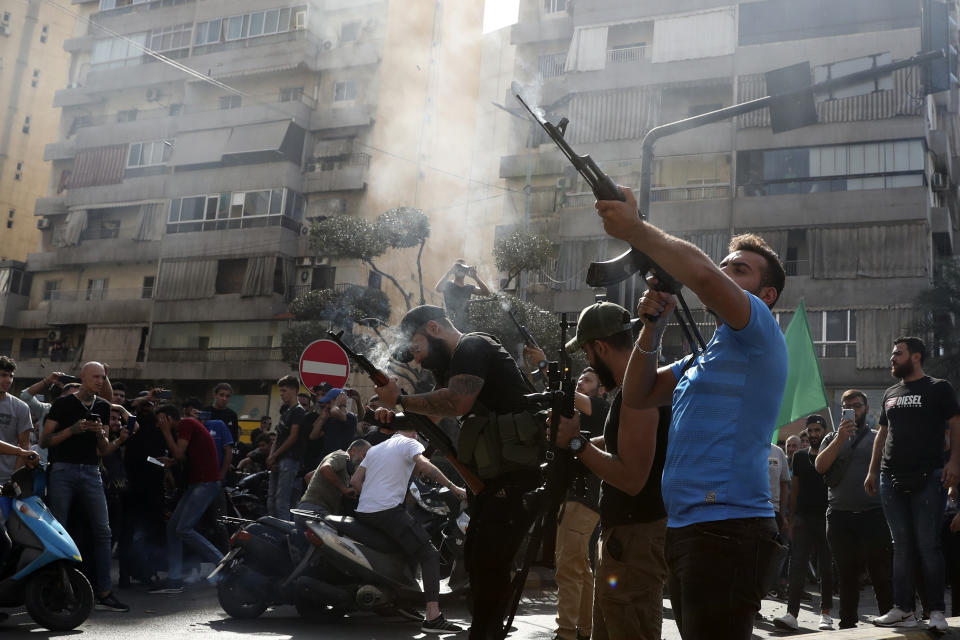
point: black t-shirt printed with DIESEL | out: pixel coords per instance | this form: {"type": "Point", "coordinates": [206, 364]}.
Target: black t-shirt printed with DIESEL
{"type": "Point", "coordinates": [916, 414]}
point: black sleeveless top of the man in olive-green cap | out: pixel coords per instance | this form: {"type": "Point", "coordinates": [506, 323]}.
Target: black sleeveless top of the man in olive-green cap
{"type": "Point", "coordinates": [618, 507]}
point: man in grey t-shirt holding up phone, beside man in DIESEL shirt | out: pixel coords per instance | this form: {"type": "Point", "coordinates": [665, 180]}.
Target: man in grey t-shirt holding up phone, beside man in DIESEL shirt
{"type": "Point", "coordinates": [856, 529]}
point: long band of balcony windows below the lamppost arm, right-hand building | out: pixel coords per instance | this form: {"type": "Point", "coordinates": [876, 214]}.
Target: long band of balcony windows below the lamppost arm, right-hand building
{"type": "Point", "coordinates": [851, 167]}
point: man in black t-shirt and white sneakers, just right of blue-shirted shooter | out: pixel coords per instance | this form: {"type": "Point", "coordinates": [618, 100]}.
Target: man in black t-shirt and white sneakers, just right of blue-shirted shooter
{"type": "Point", "coordinates": [808, 531]}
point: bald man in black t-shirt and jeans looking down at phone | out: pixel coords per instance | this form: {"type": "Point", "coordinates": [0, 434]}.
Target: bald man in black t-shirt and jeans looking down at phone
{"type": "Point", "coordinates": [74, 432]}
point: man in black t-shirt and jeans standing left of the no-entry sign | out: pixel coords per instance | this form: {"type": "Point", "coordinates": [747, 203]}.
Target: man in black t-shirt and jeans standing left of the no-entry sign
{"type": "Point", "coordinates": [287, 452]}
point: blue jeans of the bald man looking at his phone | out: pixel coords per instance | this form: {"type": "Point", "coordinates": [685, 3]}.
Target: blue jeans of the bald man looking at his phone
{"type": "Point", "coordinates": [69, 481]}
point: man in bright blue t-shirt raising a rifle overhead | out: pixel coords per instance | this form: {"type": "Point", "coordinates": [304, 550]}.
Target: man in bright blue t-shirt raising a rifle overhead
{"type": "Point", "coordinates": [721, 536]}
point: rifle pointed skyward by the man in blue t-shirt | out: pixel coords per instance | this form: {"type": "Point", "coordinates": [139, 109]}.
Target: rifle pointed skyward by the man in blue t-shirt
{"type": "Point", "coordinates": [634, 261]}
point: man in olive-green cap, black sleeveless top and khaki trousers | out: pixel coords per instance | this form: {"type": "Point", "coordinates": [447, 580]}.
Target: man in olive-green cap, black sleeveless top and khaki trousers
{"type": "Point", "coordinates": [628, 458]}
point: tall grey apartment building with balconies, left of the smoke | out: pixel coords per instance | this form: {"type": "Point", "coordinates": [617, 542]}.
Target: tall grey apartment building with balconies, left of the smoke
{"type": "Point", "coordinates": [197, 141]}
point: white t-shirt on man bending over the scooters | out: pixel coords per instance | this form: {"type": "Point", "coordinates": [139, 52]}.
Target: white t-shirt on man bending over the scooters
{"type": "Point", "coordinates": [388, 467]}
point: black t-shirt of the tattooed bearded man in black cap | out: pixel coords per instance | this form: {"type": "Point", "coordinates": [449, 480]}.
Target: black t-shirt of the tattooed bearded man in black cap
{"type": "Point", "coordinates": [479, 354]}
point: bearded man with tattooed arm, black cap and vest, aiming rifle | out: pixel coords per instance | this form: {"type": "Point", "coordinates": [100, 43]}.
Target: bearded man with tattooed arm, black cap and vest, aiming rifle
{"type": "Point", "coordinates": [477, 379]}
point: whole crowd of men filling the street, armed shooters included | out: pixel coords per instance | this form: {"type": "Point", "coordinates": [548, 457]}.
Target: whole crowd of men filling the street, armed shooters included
{"type": "Point", "coordinates": [676, 465]}
